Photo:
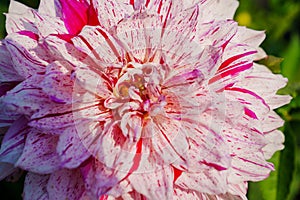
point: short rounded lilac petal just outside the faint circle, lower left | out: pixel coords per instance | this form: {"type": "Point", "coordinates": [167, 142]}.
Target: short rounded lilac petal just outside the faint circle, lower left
{"type": "Point", "coordinates": [70, 149]}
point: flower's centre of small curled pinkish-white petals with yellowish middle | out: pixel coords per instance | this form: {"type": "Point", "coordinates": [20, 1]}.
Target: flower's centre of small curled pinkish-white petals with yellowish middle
{"type": "Point", "coordinates": [136, 96]}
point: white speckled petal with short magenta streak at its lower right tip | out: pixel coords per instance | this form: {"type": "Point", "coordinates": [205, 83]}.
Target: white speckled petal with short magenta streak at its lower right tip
{"type": "Point", "coordinates": [207, 149]}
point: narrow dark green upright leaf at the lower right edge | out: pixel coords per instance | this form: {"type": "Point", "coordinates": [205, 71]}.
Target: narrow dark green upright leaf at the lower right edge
{"type": "Point", "coordinates": [286, 165]}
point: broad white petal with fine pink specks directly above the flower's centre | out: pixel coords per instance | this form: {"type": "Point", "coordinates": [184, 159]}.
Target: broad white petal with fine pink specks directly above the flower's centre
{"type": "Point", "coordinates": [138, 38]}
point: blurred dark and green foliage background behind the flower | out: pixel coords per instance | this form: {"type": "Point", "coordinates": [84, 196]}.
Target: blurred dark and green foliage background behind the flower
{"type": "Point", "coordinates": [281, 21]}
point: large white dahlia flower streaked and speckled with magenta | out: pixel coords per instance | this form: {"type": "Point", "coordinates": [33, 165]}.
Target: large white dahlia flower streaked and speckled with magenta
{"type": "Point", "coordinates": [135, 99]}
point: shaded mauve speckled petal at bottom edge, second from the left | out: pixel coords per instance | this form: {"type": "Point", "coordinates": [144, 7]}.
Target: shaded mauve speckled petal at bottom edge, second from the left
{"type": "Point", "coordinates": [65, 184]}
